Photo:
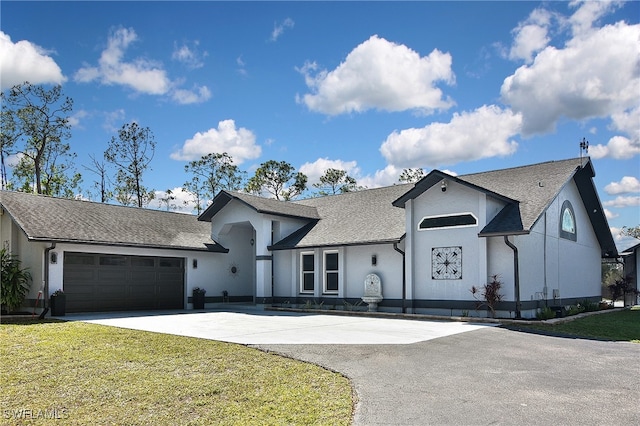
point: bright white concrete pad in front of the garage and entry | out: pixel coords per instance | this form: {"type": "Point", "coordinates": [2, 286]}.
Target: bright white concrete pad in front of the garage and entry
{"type": "Point", "coordinates": [250, 326]}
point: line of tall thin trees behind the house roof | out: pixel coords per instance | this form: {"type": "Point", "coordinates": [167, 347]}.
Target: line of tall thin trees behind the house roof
{"type": "Point", "coordinates": [36, 127]}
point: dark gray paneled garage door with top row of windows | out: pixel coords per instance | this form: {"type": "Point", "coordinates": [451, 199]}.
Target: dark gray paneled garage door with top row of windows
{"type": "Point", "coordinates": [106, 282]}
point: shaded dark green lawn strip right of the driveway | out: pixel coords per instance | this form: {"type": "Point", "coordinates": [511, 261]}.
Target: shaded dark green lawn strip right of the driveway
{"type": "Point", "coordinates": [619, 326]}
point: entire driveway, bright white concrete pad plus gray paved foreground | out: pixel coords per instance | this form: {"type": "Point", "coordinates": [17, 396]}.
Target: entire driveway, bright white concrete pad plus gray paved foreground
{"type": "Point", "coordinates": [435, 373]}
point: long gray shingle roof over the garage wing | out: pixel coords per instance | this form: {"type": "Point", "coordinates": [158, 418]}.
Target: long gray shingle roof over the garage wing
{"type": "Point", "coordinates": [64, 220]}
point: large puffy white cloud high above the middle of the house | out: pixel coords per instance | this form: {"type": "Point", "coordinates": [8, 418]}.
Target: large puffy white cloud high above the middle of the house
{"type": "Point", "coordinates": [379, 74]}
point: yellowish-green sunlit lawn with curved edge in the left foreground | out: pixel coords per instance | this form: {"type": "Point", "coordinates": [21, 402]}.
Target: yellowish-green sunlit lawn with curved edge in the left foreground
{"type": "Point", "coordinates": [92, 374]}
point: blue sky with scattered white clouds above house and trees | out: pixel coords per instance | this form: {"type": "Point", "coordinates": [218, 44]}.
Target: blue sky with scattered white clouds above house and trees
{"type": "Point", "coordinates": [369, 87]}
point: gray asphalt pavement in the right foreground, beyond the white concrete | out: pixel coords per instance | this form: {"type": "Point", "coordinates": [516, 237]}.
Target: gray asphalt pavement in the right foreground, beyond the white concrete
{"type": "Point", "coordinates": [489, 376]}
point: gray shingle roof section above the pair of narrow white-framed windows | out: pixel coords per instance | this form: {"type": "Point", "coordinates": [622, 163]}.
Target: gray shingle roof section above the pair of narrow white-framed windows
{"type": "Point", "coordinates": [354, 218]}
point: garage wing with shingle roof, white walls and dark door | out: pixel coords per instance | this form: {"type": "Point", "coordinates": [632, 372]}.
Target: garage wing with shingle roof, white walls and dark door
{"type": "Point", "coordinates": [110, 258]}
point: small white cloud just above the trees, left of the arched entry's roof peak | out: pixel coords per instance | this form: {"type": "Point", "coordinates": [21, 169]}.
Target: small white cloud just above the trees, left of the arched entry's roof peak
{"type": "Point", "coordinates": [239, 143]}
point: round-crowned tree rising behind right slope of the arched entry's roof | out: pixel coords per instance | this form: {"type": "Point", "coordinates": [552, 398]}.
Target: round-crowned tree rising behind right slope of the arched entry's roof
{"type": "Point", "coordinates": [279, 179]}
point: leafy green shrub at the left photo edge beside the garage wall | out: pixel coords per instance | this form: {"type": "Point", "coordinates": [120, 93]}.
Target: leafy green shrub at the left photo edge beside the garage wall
{"type": "Point", "coordinates": [15, 279]}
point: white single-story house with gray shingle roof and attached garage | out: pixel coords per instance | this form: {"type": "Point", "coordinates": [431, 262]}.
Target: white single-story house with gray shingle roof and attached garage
{"type": "Point", "coordinates": [540, 229]}
